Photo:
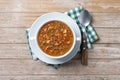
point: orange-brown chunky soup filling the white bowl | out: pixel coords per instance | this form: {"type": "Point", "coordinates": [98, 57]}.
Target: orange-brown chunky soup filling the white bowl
{"type": "Point", "coordinates": [55, 38]}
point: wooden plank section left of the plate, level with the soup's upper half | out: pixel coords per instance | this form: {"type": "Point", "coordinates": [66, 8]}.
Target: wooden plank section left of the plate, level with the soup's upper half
{"type": "Point", "coordinates": [12, 35]}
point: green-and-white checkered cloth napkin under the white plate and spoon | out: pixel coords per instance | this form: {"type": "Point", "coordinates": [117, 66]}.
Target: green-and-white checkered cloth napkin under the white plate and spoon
{"type": "Point", "coordinates": [74, 14]}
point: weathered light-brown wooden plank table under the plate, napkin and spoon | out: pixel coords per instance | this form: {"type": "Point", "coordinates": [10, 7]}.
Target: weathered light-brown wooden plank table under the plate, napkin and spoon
{"type": "Point", "coordinates": [16, 62]}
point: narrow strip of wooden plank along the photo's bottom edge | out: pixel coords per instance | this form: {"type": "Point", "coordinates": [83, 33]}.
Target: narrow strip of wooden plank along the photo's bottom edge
{"type": "Point", "coordinates": [61, 77]}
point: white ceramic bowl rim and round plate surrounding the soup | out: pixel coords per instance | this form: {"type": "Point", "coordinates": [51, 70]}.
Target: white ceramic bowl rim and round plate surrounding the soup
{"type": "Point", "coordinates": [50, 17]}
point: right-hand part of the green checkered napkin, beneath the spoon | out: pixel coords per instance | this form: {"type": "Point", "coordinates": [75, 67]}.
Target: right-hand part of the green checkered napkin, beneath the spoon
{"type": "Point", "coordinates": [91, 34]}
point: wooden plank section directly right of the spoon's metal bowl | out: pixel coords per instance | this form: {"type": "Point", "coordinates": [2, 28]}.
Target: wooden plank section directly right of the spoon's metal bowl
{"type": "Point", "coordinates": [105, 20]}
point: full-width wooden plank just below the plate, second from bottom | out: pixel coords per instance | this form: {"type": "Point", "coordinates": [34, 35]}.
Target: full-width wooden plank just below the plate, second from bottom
{"type": "Point", "coordinates": [29, 67]}
